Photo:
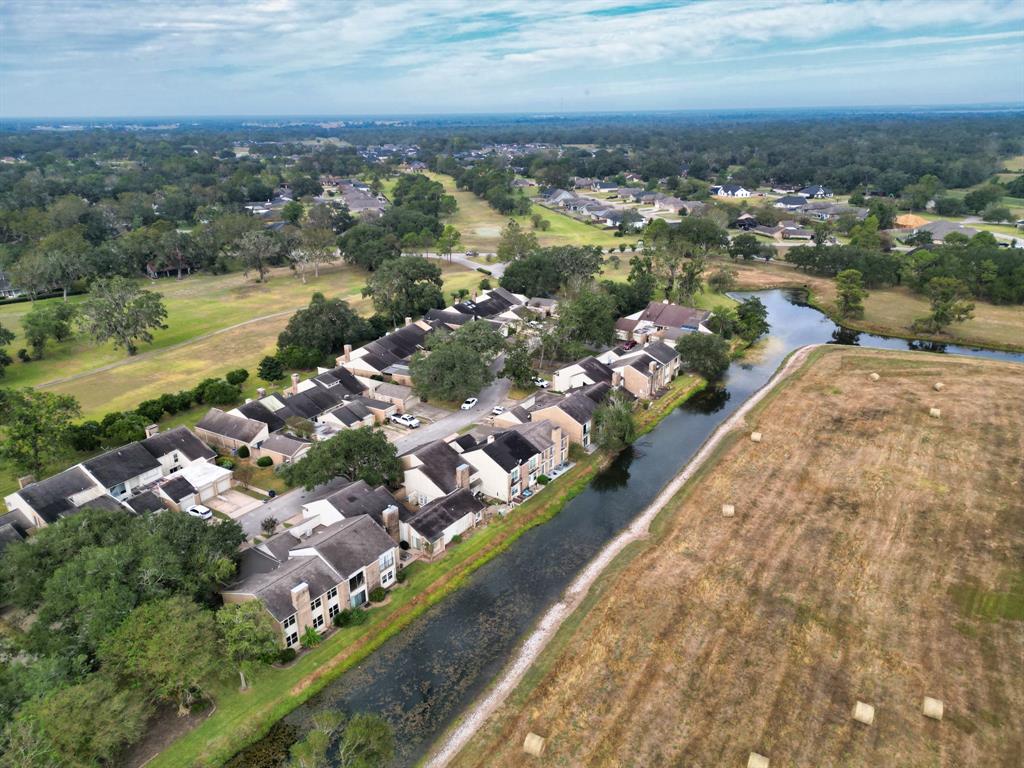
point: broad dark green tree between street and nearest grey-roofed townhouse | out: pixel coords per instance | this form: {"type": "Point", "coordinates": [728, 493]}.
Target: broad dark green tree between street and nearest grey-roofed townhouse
{"type": "Point", "coordinates": [364, 454]}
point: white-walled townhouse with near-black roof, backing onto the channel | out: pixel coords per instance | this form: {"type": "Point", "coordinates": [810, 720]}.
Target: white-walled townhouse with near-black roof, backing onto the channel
{"type": "Point", "coordinates": [509, 463]}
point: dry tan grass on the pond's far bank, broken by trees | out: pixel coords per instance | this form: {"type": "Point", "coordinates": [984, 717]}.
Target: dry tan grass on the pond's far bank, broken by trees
{"type": "Point", "coordinates": [890, 311]}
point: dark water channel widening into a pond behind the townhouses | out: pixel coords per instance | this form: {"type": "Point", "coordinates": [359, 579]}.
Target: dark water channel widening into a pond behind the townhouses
{"type": "Point", "coordinates": [423, 678]}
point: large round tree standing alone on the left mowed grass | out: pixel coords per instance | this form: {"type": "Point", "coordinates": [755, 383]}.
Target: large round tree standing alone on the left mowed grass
{"type": "Point", "coordinates": [119, 310]}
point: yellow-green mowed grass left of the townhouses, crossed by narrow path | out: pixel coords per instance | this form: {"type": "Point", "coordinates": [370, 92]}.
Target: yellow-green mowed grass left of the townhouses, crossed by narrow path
{"type": "Point", "coordinates": [216, 324]}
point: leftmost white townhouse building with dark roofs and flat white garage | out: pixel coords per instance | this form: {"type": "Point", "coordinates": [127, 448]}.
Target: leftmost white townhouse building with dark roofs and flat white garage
{"type": "Point", "coordinates": [115, 480]}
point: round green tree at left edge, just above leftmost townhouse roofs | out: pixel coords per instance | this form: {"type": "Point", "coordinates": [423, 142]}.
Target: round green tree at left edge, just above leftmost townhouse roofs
{"type": "Point", "coordinates": [37, 426]}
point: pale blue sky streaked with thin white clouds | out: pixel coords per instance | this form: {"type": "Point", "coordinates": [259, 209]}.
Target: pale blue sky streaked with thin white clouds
{"type": "Point", "coordinates": [69, 58]}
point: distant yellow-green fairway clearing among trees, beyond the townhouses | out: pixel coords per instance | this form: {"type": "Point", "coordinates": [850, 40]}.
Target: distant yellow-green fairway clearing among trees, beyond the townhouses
{"type": "Point", "coordinates": [482, 226]}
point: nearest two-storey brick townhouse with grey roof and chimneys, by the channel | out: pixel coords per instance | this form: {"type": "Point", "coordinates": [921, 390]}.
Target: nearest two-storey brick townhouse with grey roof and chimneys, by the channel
{"type": "Point", "coordinates": [308, 575]}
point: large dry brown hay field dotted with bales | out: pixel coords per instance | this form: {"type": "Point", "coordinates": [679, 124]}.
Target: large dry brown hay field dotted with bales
{"type": "Point", "coordinates": [875, 557]}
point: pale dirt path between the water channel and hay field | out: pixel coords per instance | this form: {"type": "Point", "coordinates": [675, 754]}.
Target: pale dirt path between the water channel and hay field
{"type": "Point", "coordinates": [553, 619]}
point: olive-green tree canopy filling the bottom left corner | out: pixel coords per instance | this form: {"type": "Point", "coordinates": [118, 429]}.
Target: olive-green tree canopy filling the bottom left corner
{"type": "Point", "coordinates": [79, 727]}
